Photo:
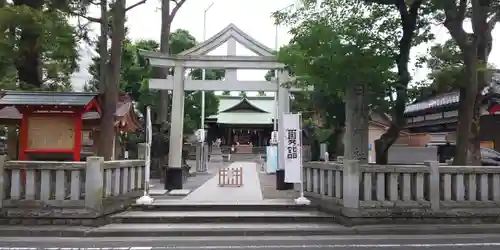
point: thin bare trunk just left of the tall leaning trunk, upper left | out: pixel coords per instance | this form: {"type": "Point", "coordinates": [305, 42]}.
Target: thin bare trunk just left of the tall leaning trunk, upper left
{"type": "Point", "coordinates": [103, 46]}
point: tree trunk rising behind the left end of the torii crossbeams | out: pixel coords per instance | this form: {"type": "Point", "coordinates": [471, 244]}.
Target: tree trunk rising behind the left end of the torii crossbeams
{"type": "Point", "coordinates": [163, 102]}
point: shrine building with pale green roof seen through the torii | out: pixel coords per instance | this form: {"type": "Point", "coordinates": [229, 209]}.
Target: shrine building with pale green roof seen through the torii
{"type": "Point", "coordinates": [245, 122]}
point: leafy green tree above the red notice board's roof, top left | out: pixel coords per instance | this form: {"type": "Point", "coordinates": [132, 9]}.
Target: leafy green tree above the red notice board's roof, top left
{"type": "Point", "coordinates": [38, 47]}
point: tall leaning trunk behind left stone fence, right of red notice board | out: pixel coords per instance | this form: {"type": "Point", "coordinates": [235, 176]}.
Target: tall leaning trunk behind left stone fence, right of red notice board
{"type": "Point", "coordinates": [111, 94]}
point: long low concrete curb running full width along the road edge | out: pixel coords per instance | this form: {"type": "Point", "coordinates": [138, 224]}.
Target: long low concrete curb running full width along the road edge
{"type": "Point", "coordinates": [56, 231]}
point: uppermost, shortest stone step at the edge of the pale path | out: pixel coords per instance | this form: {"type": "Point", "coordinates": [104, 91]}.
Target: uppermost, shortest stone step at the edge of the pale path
{"type": "Point", "coordinates": [264, 205]}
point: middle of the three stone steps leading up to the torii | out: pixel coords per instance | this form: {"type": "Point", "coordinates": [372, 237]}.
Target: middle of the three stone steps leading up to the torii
{"type": "Point", "coordinates": [221, 217]}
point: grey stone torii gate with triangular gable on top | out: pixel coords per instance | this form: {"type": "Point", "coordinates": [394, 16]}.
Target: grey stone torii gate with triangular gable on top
{"type": "Point", "coordinates": [197, 57]}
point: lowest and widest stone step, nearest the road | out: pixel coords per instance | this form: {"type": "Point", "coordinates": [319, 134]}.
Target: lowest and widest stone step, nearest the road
{"type": "Point", "coordinates": [218, 229]}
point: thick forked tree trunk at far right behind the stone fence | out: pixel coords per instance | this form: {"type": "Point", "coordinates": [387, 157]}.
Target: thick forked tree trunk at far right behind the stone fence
{"type": "Point", "coordinates": [475, 48]}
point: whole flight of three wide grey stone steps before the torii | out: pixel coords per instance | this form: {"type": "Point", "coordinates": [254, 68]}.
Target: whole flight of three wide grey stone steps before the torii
{"type": "Point", "coordinates": [205, 219]}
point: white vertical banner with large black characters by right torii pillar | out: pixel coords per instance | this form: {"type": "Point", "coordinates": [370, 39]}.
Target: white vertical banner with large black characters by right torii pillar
{"type": "Point", "coordinates": [293, 148]}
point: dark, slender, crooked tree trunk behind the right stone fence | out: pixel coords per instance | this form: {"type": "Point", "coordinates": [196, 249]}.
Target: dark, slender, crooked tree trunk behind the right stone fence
{"type": "Point", "coordinates": [408, 22]}
